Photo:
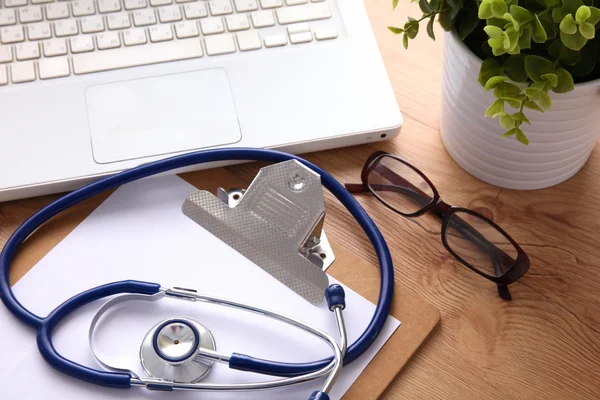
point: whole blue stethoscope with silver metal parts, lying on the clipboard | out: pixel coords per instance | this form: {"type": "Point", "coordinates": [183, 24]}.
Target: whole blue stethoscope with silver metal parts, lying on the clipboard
{"type": "Point", "coordinates": [178, 352]}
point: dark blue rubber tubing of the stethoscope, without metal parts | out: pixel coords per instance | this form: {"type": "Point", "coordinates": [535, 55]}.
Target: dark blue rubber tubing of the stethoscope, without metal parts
{"type": "Point", "coordinates": [46, 325]}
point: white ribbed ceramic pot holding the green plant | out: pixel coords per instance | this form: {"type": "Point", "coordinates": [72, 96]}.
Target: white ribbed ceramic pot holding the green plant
{"type": "Point", "coordinates": [560, 140]}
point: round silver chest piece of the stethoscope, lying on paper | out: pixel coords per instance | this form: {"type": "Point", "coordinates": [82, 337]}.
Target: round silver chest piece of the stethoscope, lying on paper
{"type": "Point", "coordinates": [170, 350]}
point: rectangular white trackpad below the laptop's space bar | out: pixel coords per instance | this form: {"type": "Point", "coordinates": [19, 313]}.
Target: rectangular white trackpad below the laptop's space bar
{"type": "Point", "coordinates": [161, 115]}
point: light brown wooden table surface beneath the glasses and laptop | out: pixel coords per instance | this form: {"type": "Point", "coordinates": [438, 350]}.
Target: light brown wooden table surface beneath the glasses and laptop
{"type": "Point", "coordinates": [545, 343]}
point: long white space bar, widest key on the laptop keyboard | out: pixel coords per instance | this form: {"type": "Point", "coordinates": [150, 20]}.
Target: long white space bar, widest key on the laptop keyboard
{"type": "Point", "coordinates": [125, 57]}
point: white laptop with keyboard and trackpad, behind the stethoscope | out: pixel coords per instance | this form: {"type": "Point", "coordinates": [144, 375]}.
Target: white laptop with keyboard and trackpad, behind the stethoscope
{"type": "Point", "coordinates": [92, 87]}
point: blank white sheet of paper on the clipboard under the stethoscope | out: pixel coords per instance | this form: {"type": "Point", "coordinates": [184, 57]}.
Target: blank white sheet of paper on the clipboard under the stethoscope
{"type": "Point", "coordinates": [140, 233]}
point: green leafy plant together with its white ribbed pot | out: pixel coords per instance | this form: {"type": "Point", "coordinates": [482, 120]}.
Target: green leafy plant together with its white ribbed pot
{"type": "Point", "coordinates": [521, 87]}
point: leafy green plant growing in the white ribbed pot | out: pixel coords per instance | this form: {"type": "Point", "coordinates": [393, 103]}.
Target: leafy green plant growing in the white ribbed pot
{"type": "Point", "coordinates": [528, 47]}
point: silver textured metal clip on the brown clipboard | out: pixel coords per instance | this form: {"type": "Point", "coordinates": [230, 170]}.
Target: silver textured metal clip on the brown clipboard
{"type": "Point", "coordinates": [277, 223]}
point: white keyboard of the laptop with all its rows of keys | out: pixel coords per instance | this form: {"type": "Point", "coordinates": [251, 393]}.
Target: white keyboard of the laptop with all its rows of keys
{"type": "Point", "coordinates": [47, 39]}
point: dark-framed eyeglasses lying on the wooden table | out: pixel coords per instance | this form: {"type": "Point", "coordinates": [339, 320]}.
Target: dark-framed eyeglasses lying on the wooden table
{"type": "Point", "coordinates": [471, 238]}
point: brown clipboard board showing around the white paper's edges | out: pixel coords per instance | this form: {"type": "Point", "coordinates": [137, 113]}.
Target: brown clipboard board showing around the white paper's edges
{"type": "Point", "coordinates": [418, 317]}
